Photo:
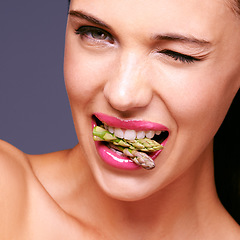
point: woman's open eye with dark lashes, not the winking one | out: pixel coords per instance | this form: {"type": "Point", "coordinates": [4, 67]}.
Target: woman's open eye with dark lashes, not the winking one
{"type": "Point", "coordinates": [94, 34]}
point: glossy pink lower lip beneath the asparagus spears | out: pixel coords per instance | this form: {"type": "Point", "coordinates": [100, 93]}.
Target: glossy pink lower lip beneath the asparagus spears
{"type": "Point", "coordinates": [113, 159]}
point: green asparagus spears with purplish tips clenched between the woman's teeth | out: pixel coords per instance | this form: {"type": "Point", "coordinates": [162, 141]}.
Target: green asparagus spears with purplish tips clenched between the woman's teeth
{"type": "Point", "coordinates": [135, 149]}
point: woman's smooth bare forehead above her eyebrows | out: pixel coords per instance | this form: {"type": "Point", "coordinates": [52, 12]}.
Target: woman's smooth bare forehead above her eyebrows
{"type": "Point", "coordinates": [187, 15]}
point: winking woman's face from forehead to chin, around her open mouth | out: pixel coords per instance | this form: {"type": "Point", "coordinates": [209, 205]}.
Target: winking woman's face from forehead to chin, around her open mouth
{"type": "Point", "coordinates": [174, 63]}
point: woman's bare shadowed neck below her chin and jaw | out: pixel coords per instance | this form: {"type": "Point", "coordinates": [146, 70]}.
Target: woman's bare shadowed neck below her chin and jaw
{"type": "Point", "coordinates": [181, 208]}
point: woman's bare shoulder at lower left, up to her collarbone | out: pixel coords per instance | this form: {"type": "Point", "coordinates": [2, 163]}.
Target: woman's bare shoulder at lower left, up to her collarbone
{"type": "Point", "coordinates": [26, 196]}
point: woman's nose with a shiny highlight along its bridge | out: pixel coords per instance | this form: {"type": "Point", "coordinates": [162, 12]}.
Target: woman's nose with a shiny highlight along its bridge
{"type": "Point", "coordinates": [128, 87]}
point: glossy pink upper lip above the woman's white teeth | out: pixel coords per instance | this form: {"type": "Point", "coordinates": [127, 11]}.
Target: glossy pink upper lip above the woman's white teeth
{"type": "Point", "coordinates": [137, 125]}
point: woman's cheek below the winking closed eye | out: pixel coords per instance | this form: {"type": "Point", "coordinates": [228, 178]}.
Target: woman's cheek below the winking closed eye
{"type": "Point", "coordinates": [199, 102]}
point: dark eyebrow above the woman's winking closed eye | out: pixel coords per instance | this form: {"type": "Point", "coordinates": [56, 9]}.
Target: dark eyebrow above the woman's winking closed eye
{"type": "Point", "coordinates": [181, 38]}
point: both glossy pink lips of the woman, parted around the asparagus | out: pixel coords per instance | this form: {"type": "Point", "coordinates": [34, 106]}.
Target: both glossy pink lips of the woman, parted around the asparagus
{"type": "Point", "coordinates": [112, 158]}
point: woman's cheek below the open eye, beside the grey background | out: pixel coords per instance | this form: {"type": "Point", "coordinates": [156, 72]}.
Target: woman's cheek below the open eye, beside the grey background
{"type": "Point", "coordinates": [84, 74]}
